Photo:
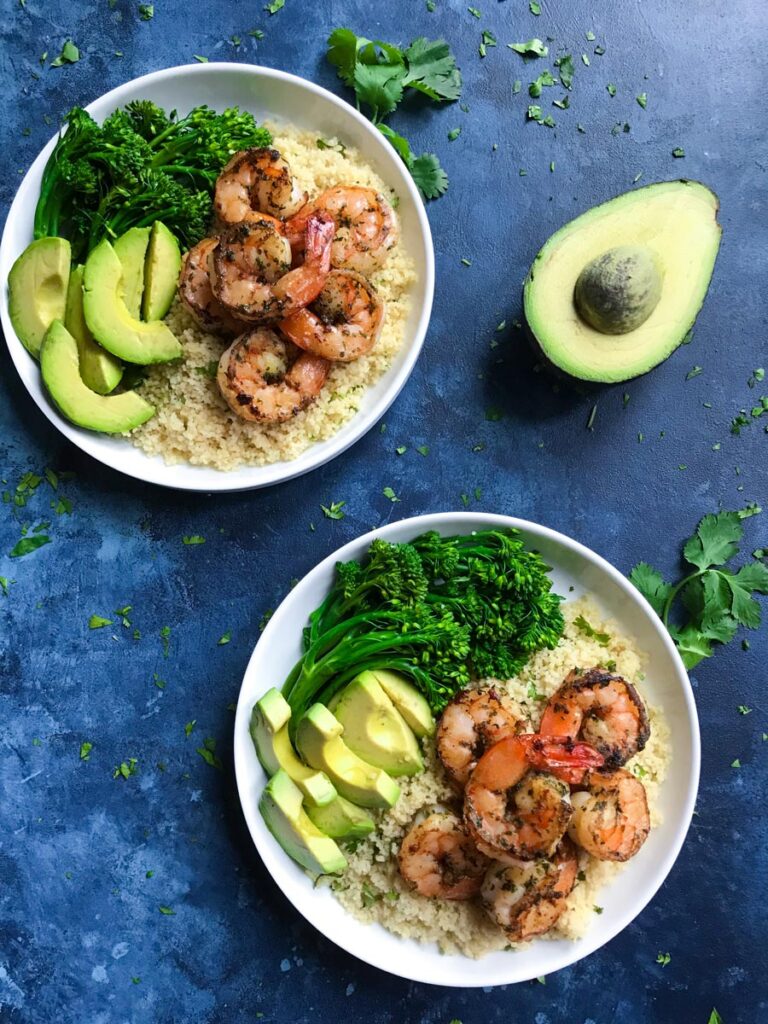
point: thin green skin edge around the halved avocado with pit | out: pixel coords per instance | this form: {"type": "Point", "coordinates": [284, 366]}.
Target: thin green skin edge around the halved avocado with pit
{"type": "Point", "coordinates": [677, 336]}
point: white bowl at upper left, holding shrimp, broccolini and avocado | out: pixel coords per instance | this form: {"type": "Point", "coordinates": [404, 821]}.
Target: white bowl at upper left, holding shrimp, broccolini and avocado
{"type": "Point", "coordinates": [267, 94]}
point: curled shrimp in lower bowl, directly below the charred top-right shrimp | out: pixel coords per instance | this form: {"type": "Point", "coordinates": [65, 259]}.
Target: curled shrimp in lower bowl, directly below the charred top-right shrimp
{"type": "Point", "coordinates": [611, 818]}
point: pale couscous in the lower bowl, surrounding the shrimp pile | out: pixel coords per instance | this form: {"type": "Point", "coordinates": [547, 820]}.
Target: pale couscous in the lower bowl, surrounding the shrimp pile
{"type": "Point", "coordinates": [372, 888]}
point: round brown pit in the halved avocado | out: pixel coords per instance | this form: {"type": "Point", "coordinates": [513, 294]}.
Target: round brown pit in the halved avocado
{"type": "Point", "coordinates": [619, 290]}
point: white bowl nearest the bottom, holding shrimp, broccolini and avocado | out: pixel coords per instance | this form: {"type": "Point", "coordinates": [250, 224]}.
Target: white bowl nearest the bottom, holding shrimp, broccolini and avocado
{"type": "Point", "coordinates": [667, 685]}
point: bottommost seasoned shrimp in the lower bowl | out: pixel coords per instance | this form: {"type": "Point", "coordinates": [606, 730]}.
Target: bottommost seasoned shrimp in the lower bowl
{"type": "Point", "coordinates": [527, 901]}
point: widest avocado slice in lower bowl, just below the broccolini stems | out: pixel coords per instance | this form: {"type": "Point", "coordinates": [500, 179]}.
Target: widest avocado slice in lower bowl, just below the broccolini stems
{"type": "Point", "coordinates": [374, 730]}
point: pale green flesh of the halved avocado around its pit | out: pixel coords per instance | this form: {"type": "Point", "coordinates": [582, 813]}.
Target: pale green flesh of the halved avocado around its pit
{"type": "Point", "coordinates": [675, 223]}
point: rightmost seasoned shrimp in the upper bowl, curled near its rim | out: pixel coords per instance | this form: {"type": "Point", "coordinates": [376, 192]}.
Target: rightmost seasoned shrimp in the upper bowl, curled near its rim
{"type": "Point", "coordinates": [366, 227]}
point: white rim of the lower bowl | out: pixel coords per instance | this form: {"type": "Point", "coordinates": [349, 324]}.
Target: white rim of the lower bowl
{"type": "Point", "coordinates": [244, 749]}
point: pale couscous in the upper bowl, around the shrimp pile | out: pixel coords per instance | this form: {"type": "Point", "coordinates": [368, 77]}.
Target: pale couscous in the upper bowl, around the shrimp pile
{"type": "Point", "coordinates": [194, 423]}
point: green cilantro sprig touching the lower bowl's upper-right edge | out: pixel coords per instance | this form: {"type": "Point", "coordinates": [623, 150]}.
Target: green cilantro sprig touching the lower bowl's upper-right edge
{"type": "Point", "coordinates": [716, 600]}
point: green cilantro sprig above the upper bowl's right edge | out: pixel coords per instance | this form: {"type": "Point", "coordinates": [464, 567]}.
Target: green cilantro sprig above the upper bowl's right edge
{"type": "Point", "coordinates": [381, 74]}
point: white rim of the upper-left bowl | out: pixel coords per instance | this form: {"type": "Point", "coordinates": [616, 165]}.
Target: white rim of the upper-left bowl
{"type": "Point", "coordinates": [272, 474]}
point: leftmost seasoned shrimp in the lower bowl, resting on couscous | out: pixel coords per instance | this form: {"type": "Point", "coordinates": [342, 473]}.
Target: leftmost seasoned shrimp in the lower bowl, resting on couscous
{"type": "Point", "coordinates": [439, 860]}
